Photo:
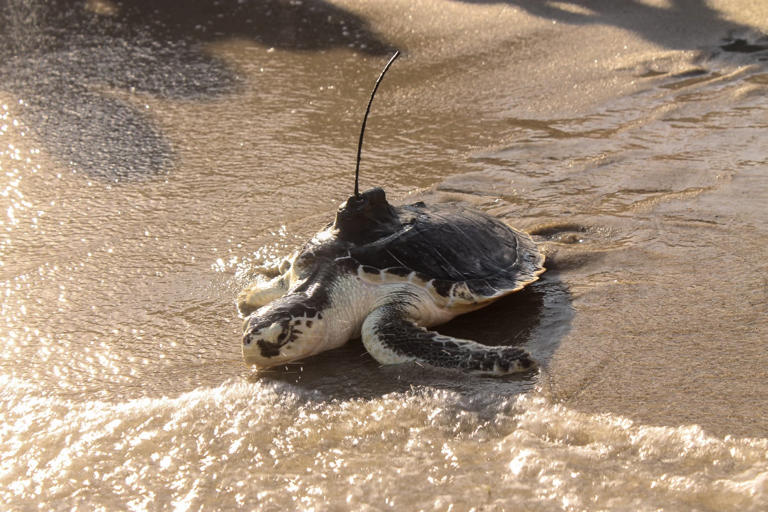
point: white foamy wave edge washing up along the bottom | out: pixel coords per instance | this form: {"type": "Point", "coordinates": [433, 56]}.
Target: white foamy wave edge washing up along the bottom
{"type": "Point", "coordinates": [260, 445]}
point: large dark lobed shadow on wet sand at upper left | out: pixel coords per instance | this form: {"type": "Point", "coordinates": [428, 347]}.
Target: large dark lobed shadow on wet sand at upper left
{"type": "Point", "coordinates": [58, 57]}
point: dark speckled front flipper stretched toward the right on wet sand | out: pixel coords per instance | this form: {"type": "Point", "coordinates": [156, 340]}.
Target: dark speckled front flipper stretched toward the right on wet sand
{"type": "Point", "coordinates": [392, 337]}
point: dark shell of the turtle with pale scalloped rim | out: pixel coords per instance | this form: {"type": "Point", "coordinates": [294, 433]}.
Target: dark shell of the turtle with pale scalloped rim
{"type": "Point", "coordinates": [461, 255]}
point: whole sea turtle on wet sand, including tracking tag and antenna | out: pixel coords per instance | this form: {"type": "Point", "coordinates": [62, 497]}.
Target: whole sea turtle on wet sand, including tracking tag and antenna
{"type": "Point", "coordinates": [386, 273]}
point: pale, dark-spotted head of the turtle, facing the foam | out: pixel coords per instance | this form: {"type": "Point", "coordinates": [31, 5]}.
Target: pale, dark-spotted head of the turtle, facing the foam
{"type": "Point", "coordinates": [286, 330]}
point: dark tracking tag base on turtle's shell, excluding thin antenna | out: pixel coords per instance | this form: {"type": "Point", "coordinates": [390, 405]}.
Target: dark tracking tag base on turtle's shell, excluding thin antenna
{"type": "Point", "coordinates": [366, 217]}
